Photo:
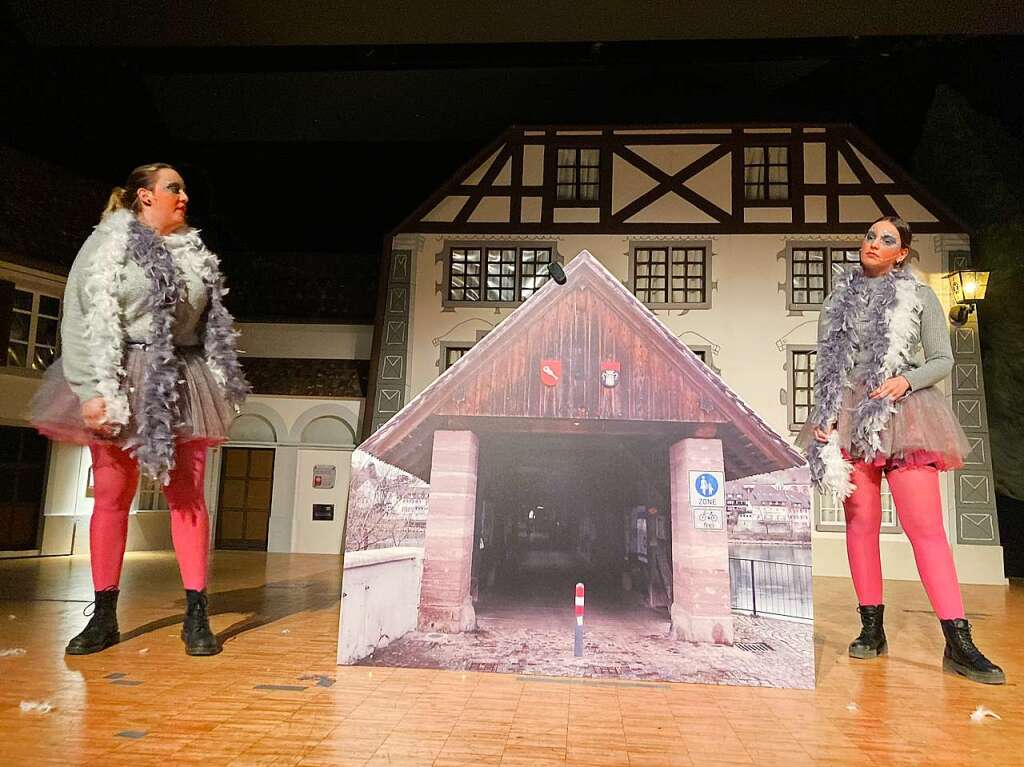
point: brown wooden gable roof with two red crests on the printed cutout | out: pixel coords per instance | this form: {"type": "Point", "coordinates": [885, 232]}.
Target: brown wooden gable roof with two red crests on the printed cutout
{"type": "Point", "coordinates": [496, 387]}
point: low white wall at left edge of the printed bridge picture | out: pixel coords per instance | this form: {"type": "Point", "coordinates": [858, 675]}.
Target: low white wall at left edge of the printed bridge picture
{"type": "Point", "coordinates": [379, 602]}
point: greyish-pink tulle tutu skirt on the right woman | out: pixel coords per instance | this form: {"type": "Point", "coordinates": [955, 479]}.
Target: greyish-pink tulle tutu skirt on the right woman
{"type": "Point", "coordinates": [923, 432]}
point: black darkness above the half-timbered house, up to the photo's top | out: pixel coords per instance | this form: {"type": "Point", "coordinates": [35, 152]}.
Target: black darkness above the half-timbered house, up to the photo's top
{"type": "Point", "coordinates": [315, 130]}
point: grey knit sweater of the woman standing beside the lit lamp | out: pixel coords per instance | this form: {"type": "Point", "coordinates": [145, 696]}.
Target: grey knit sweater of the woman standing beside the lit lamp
{"type": "Point", "coordinates": [932, 339]}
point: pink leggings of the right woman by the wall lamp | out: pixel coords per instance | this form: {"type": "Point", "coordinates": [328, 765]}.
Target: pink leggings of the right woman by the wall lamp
{"type": "Point", "coordinates": [916, 493]}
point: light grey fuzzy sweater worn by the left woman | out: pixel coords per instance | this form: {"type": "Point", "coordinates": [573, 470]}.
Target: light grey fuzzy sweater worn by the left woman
{"type": "Point", "coordinates": [134, 296]}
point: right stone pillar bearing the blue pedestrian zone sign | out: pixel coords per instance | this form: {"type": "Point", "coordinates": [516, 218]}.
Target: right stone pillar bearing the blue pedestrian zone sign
{"type": "Point", "coordinates": [702, 608]}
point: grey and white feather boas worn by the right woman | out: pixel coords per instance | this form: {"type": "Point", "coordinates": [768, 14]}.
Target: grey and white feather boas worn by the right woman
{"type": "Point", "coordinates": [893, 311]}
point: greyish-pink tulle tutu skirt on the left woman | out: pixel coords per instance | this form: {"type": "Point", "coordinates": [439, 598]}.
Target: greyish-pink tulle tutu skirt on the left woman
{"type": "Point", "coordinates": [201, 411]}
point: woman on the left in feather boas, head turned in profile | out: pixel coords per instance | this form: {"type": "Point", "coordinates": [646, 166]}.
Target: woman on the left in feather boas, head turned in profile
{"type": "Point", "coordinates": [149, 379]}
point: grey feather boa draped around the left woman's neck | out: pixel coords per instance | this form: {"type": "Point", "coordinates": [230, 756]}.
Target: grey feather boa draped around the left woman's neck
{"type": "Point", "coordinates": [154, 445]}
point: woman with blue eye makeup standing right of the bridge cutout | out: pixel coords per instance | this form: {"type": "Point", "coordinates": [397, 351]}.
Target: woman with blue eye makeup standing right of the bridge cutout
{"type": "Point", "coordinates": [878, 413]}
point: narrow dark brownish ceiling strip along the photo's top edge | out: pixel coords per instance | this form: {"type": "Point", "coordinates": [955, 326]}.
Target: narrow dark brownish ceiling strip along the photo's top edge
{"type": "Point", "coordinates": [319, 23]}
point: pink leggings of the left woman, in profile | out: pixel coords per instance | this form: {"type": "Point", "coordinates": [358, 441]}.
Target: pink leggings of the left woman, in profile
{"type": "Point", "coordinates": [116, 479]}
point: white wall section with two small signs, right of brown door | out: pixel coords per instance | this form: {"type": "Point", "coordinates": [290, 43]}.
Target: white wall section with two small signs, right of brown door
{"type": "Point", "coordinates": [321, 537]}
